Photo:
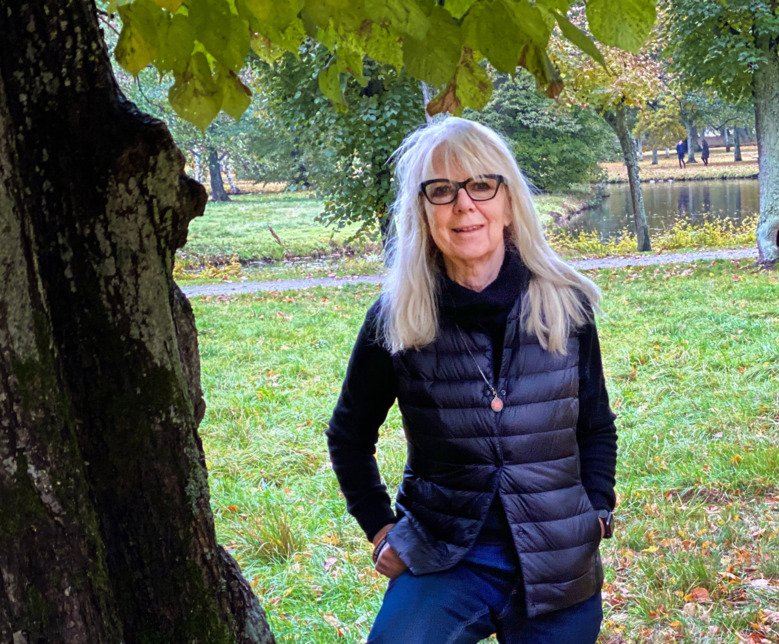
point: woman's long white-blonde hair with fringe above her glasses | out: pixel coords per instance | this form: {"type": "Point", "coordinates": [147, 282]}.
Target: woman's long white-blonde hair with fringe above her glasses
{"type": "Point", "coordinates": [558, 298]}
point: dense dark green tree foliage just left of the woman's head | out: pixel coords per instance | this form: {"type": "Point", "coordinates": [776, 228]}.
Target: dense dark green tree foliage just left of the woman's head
{"type": "Point", "coordinates": [346, 151]}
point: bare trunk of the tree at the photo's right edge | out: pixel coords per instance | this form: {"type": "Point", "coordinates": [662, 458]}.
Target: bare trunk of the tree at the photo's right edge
{"type": "Point", "coordinates": [765, 86]}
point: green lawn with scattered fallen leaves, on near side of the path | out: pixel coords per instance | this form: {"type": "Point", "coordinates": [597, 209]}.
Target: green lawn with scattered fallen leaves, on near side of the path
{"type": "Point", "coordinates": [692, 361]}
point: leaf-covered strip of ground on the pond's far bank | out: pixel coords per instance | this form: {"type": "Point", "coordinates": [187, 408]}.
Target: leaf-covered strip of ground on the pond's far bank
{"type": "Point", "coordinates": [721, 166]}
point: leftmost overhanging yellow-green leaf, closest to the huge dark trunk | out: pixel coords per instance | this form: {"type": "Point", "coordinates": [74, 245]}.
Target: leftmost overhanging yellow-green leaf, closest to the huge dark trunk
{"type": "Point", "coordinates": [138, 42]}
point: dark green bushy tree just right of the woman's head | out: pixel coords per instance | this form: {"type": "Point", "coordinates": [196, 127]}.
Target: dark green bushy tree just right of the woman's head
{"type": "Point", "coordinates": [557, 145]}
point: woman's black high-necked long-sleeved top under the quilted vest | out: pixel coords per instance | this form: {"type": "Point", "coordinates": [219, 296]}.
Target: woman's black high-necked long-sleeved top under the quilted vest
{"type": "Point", "coordinates": [370, 388]}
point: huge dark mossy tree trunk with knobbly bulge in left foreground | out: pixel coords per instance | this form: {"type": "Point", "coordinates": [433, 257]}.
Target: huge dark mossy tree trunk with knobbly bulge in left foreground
{"type": "Point", "coordinates": [106, 533]}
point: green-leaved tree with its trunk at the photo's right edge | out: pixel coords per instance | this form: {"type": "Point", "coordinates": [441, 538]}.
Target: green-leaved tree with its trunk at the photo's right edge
{"type": "Point", "coordinates": [734, 47]}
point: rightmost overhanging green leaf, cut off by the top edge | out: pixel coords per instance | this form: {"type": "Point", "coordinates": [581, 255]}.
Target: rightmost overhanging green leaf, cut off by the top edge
{"type": "Point", "coordinates": [621, 23]}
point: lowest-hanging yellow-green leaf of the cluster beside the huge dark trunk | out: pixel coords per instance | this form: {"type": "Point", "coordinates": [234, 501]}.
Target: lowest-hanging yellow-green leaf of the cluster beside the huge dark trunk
{"type": "Point", "coordinates": [196, 96]}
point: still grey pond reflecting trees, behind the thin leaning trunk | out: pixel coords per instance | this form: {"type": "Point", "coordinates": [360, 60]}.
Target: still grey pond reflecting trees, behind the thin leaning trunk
{"type": "Point", "coordinates": [669, 201]}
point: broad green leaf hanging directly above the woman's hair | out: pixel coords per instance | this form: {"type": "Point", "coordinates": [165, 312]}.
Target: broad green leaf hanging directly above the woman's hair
{"type": "Point", "coordinates": [434, 59]}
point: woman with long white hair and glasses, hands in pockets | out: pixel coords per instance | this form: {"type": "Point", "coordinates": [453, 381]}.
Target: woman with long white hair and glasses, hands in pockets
{"type": "Point", "coordinates": [485, 338]}
